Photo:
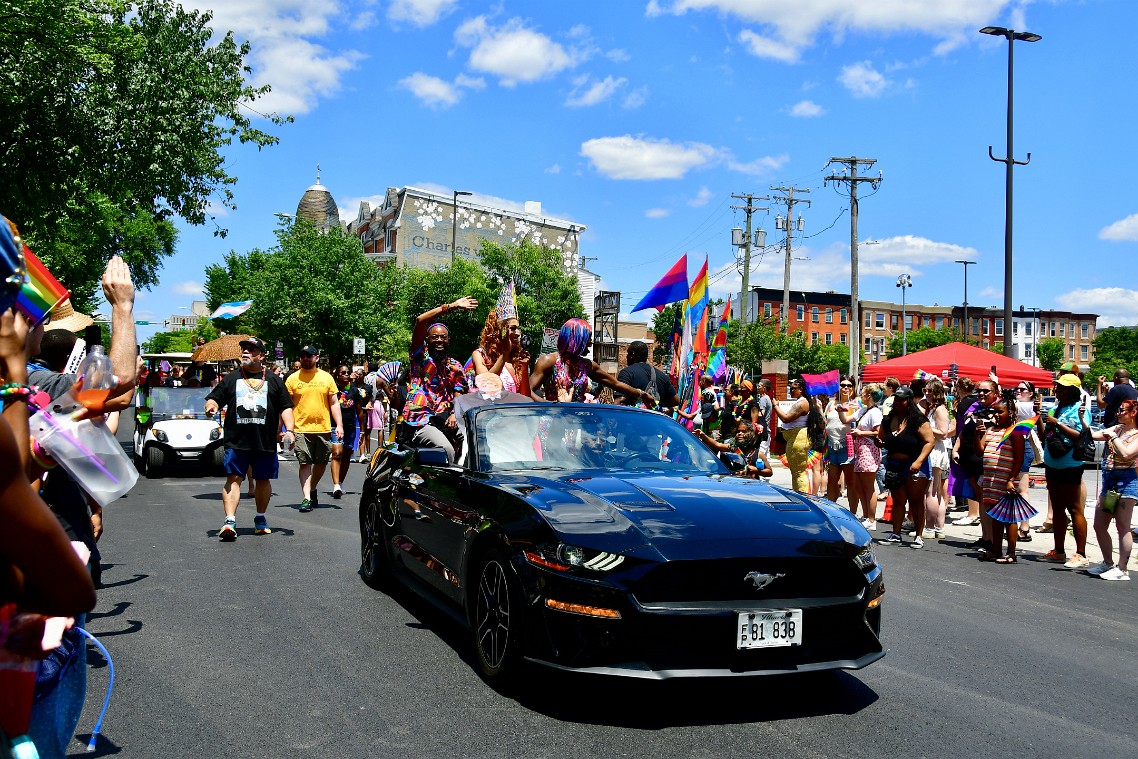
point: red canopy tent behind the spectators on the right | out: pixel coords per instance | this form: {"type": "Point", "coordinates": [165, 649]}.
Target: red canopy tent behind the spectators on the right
{"type": "Point", "coordinates": [970, 361]}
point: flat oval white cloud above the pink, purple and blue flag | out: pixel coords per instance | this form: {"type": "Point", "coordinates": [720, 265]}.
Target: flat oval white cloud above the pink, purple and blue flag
{"type": "Point", "coordinates": [646, 159]}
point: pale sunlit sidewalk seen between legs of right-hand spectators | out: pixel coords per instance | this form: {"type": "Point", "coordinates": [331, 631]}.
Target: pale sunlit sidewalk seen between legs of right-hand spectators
{"type": "Point", "coordinates": [1040, 544]}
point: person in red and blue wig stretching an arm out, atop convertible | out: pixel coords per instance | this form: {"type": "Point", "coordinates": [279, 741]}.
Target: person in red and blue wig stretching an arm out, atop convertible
{"type": "Point", "coordinates": [565, 376]}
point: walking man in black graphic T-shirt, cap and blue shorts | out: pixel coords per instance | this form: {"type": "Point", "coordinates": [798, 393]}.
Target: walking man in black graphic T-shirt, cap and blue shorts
{"type": "Point", "coordinates": [258, 405]}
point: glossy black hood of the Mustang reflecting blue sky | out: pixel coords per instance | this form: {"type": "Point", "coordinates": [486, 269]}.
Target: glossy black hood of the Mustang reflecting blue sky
{"type": "Point", "coordinates": [687, 517]}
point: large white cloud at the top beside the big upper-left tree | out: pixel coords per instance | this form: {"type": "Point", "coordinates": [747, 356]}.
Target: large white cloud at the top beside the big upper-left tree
{"type": "Point", "coordinates": [285, 49]}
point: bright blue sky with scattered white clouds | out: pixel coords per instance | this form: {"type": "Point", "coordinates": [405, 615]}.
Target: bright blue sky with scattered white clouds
{"type": "Point", "coordinates": [641, 119]}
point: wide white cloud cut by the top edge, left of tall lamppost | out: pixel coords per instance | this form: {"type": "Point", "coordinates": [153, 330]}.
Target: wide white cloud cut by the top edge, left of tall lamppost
{"type": "Point", "coordinates": [790, 27]}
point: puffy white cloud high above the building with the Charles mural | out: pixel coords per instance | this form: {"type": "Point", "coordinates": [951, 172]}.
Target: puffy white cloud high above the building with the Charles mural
{"type": "Point", "coordinates": [514, 53]}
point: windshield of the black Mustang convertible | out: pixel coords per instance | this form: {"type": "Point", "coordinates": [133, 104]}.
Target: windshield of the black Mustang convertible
{"type": "Point", "coordinates": [545, 436]}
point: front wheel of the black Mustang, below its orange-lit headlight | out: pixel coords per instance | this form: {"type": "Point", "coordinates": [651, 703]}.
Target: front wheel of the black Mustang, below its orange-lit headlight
{"type": "Point", "coordinates": [498, 613]}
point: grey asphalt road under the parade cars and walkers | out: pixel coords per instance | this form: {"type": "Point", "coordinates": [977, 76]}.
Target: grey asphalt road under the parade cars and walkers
{"type": "Point", "coordinates": [274, 647]}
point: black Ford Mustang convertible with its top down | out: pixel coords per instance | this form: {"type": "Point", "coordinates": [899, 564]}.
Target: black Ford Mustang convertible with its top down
{"type": "Point", "coordinates": [609, 540]}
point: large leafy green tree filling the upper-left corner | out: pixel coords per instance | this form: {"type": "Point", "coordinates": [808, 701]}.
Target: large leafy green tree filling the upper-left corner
{"type": "Point", "coordinates": [116, 117]}
